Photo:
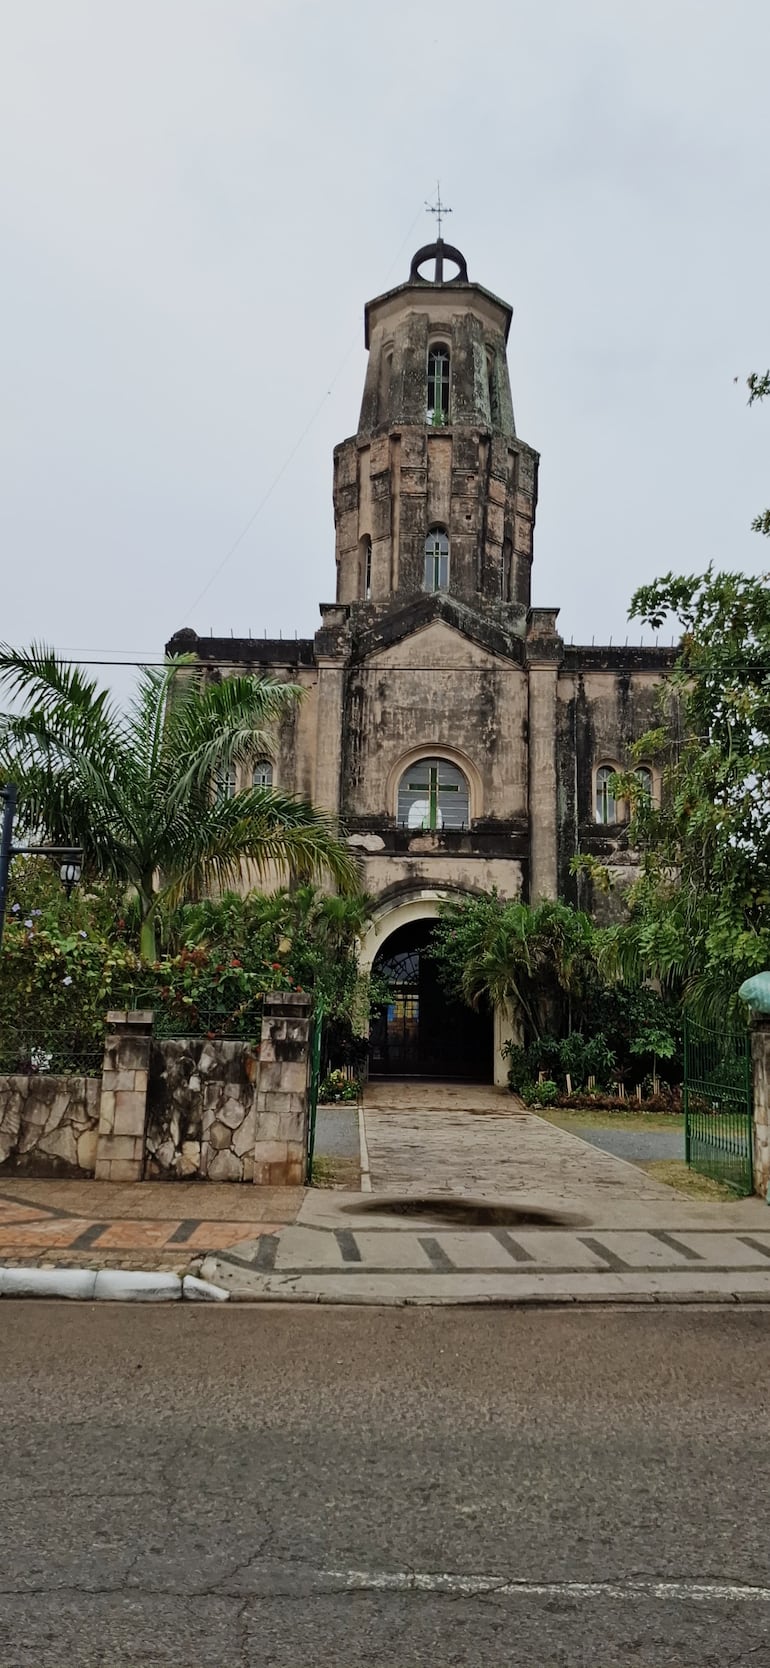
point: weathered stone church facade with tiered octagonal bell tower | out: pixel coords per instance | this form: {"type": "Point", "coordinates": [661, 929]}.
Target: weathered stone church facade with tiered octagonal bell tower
{"type": "Point", "coordinates": [447, 725]}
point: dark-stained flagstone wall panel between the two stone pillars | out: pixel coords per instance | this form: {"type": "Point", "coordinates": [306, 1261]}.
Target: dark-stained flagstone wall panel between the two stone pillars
{"type": "Point", "coordinates": [202, 1110]}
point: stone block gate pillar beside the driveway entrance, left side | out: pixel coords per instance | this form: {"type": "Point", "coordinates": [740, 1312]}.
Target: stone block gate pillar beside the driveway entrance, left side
{"type": "Point", "coordinates": [282, 1092]}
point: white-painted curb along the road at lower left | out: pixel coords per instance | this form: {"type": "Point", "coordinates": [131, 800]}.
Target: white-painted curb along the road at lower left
{"type": "Point", "coordinates": [109, 1285]}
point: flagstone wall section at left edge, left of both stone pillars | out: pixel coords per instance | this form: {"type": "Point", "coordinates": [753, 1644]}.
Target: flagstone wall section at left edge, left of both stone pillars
{"type": "Point", "coordinates": [49, 1125]}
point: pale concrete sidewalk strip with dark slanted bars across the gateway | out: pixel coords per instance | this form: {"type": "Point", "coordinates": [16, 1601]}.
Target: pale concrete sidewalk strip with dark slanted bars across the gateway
{"type": "Point", "coordinates": [351, 1257]}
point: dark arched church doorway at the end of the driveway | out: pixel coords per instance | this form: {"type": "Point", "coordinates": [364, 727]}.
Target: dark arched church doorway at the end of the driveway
{"type": "Point", "coordinates": [421, 1033]}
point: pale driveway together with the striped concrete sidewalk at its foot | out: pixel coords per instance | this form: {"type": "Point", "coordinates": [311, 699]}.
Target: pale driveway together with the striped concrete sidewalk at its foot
{"type": "Point", "coordinates": [611, 1233]}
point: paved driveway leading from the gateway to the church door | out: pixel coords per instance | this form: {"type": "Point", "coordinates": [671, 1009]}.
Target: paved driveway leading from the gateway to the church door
{"type": "Point", "coordinates": [472, 1138]}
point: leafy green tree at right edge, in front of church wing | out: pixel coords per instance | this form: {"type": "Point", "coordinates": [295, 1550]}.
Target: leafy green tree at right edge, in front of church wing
{"type": "Point", "coordinates": [699, 915]}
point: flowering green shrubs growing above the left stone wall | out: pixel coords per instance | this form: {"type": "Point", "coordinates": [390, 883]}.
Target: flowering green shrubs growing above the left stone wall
{"type": "Point", "coordinates": [67, 962]}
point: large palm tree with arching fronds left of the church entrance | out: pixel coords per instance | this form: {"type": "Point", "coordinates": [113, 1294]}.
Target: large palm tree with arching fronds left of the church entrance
{"type": "Point", "coordinates": [137, 790]}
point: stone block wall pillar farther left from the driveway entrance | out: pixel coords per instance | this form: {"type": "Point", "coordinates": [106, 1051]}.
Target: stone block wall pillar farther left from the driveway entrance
{"type": "Point", "coordinates": [122, 1113]}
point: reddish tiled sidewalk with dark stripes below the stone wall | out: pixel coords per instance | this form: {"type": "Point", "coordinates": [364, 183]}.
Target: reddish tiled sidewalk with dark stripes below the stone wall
{"type": "Point", "coordinates": [147, 1225]}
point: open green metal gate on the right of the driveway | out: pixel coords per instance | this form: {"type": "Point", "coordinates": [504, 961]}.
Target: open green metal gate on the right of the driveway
{"type": "Point", "coordinates": [717, 1095]}
